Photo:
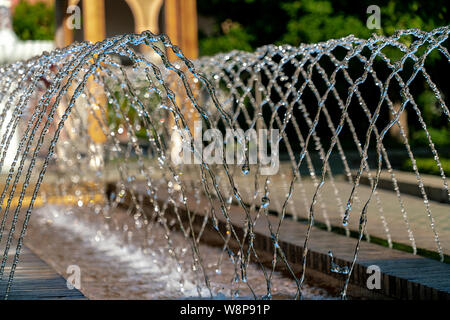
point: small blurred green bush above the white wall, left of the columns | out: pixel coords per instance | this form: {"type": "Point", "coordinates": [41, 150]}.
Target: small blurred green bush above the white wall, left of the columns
{"type": "Point", "coordinates": [34, 21]}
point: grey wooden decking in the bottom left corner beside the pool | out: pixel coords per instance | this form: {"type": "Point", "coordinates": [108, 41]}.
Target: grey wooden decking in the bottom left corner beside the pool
{"type": "Point", "coordinates": [35, 280]}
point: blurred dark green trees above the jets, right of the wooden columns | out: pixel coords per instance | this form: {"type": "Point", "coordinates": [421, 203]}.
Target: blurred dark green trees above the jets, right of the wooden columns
{"type": "Point", "coordinates": [306, 21]}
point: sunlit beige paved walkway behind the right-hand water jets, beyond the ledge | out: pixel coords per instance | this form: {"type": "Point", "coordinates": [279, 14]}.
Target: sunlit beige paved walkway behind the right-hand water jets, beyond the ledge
{"type": "Point", "coordinates": [330, 206]}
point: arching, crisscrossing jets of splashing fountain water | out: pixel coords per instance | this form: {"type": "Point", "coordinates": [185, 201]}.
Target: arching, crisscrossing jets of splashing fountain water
{"type": "Point", "coordinates": [101, 132]}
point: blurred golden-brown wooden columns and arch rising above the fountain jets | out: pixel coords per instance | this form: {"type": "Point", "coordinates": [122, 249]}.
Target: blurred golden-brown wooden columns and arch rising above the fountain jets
{"type": "Point", "coordinates": [106, 18]}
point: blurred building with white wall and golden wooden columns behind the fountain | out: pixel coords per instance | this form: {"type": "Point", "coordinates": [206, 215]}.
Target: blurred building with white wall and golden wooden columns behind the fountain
{"type": "Point", "coordinates": [100, 19]}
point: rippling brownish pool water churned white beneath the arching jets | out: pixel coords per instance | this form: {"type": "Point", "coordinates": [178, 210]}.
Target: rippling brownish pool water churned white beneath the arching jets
{"type": "Point", "coordinates": [119, 259]}
